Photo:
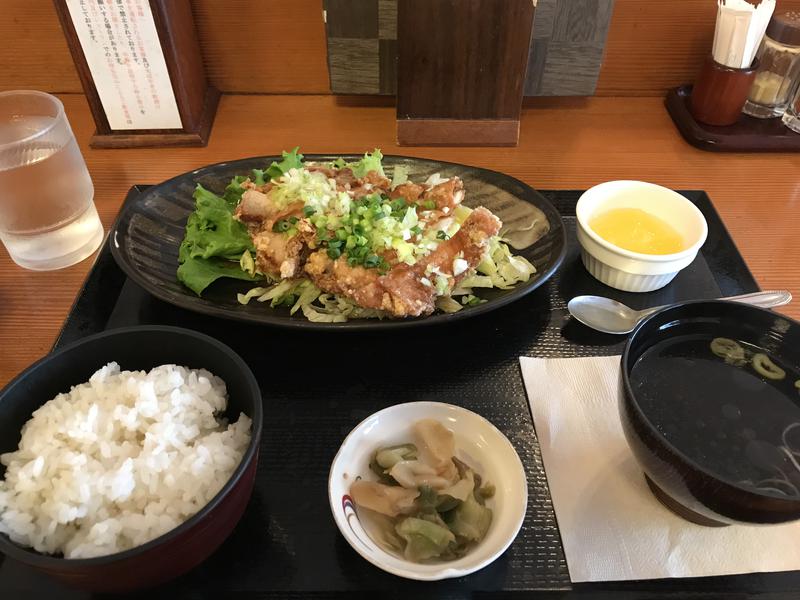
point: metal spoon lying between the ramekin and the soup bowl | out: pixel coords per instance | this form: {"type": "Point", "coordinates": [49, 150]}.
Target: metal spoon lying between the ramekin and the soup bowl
{"type": "Point", "coordinates": [610, 316]}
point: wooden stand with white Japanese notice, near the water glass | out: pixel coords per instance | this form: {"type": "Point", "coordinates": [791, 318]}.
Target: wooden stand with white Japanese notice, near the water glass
{"type": "Point", "coordinates": [195, 99]}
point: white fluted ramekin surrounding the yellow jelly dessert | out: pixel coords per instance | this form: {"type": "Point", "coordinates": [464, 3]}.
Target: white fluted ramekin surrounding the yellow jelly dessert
{"type": "Point", "coordinates": [633, 271]}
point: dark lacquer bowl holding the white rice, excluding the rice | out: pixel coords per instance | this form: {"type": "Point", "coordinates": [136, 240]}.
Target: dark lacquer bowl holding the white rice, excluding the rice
{"type": "Point", "coordinates": [139, 348]}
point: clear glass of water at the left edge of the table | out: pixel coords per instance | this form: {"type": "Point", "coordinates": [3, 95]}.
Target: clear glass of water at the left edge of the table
{"type": "Point", "coordinates": [47, 215]}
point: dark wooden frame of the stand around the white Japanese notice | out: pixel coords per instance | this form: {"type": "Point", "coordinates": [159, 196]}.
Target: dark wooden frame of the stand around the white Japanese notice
{"type": "Point", "coordinates": [197, 100]}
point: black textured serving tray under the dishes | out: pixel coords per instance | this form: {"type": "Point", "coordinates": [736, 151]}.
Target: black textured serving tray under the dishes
{"type": "Point", "coordinates": [287, 545]}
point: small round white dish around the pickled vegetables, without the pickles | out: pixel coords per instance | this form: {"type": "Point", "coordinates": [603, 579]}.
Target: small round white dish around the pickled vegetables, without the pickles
{"type": "Point", "coordinates": [478, 443]}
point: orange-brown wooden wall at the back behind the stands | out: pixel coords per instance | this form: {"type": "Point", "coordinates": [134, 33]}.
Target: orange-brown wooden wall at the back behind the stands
{"type": "Point", "coordinates": [269, 46]}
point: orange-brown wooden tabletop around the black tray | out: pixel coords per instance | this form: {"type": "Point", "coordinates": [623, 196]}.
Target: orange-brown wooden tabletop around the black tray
{"type": "Point", "coordinates": [564, 144]}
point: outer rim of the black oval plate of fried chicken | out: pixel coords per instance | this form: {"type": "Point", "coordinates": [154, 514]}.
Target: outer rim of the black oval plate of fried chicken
{"type": "Point", "coordinates": [186, 302]}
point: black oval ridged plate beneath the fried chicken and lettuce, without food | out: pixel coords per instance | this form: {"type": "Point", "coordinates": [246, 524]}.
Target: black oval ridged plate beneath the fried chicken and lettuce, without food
{"type": "Point", "coordinates": [148, 231]}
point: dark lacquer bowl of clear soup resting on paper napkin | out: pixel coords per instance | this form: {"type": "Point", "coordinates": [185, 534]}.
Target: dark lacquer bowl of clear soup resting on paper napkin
{"type": "Point", "coordinates": [710, 406]}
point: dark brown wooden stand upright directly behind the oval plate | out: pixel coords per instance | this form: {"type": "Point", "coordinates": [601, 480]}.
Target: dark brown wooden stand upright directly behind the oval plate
{"type": "Point", "coordinates": [461, 70]}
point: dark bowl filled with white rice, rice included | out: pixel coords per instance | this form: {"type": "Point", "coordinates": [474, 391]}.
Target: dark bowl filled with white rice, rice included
{"type": "Point", "coordinates": [128, 457]}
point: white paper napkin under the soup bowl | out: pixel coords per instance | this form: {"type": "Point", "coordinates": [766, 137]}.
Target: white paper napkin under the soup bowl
{"type": "Point", "coordinates": [612, 527]}
